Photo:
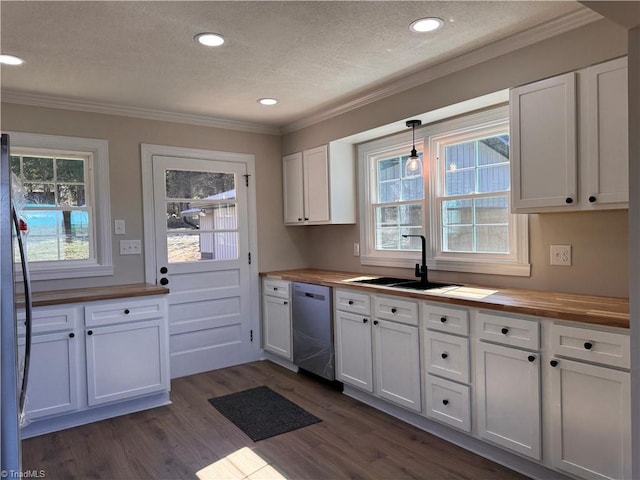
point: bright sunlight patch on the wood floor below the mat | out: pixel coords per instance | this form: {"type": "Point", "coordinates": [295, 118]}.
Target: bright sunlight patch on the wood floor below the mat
{"type": "Point", "coordinates": [239, 465]}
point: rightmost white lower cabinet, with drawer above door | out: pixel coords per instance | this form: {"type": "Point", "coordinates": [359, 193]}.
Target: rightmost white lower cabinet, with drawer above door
{"type": "Point", "coordinates": [589, 405]}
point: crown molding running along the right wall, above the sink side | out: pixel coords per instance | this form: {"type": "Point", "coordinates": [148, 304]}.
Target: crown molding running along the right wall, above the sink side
{"type": "Point", "coordinates": [523, 39]}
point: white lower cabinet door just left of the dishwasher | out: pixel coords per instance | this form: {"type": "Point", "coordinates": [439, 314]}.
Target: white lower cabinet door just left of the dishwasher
{"type": "Point", "coordinates": [277, 326]}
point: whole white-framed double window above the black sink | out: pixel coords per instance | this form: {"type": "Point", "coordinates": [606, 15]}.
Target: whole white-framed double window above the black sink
{"type": "Point", "coordinates": [462, 207]}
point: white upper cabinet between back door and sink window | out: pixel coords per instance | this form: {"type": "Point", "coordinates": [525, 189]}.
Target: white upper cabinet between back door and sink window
{"type": "Point", "coordinates": [319, 185]}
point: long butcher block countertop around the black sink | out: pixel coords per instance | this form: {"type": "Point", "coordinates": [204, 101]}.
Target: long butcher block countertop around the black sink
{"type": "Point", "coordinates": [607, 311]}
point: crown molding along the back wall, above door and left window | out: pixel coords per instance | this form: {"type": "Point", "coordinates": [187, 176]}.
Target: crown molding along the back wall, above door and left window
{"type": "Point", "coordinates": [37, 100]}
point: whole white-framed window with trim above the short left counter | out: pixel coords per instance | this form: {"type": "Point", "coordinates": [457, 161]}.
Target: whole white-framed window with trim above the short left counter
{"type": "Point", "coordinates": [65, 201]}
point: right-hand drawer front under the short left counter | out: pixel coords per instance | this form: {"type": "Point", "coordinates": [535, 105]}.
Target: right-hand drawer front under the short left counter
{"type": "Point", "coordinates": [123, 310]}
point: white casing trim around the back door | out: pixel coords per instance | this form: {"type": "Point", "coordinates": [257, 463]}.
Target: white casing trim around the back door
{"type": "Point", "coordinates": [147, 151]}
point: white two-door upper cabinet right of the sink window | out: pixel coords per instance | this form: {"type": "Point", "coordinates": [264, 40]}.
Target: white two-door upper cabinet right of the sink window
{"type": "Point", "coordinates": [569, 141]}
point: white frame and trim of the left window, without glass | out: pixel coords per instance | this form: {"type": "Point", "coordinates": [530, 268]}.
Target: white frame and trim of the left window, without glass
{"type": "Point", "coordinates": [100, 262]}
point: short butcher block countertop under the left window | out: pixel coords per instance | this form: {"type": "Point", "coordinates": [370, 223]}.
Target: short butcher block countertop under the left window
{"type": "Point", "coordinates": [91, 294]}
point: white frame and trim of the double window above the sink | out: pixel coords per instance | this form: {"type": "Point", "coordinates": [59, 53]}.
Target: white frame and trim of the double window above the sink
{"type": "Point", "coordinates": [515, 263]}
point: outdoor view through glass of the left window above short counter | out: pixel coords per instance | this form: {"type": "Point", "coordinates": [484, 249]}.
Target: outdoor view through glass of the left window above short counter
{"type": "Point", "coordinates": [54, 206]}
